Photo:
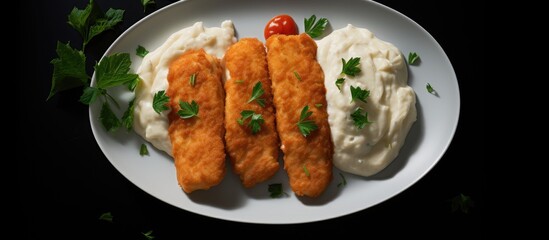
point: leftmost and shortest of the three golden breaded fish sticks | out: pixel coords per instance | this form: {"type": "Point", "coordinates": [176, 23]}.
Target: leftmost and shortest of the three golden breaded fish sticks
{"type": "Point", "coordinates": [198, 147]}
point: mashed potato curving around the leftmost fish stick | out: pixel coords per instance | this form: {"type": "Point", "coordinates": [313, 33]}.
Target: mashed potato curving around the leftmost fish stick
{"type": "Point", "coordinates": [154, 71]}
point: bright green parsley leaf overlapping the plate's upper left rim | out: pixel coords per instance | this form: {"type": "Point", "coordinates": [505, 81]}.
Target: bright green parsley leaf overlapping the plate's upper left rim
{"type": "Point", "coordinates": [113, 71]}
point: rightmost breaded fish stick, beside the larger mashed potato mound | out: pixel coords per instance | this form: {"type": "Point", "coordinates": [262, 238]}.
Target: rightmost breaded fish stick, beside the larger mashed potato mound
{"type": "Point", "coordinates": [298, 81]}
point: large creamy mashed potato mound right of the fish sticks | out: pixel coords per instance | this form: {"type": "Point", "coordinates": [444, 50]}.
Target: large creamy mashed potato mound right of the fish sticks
{"type": "Point", "coordinates": [391, 104]}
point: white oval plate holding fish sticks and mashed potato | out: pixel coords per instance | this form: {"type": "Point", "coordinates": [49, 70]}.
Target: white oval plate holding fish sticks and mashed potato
{"type": "Point", "coordinates": [428, 139]}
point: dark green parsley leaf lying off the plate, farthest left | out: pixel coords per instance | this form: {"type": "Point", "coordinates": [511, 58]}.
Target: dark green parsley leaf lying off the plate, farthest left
{"type": "Point", "coordinates": [69, 69]}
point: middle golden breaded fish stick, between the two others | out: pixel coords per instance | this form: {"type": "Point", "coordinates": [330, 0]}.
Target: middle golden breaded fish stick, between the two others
{"type": "Point", "coordinates": [254, 156]}
